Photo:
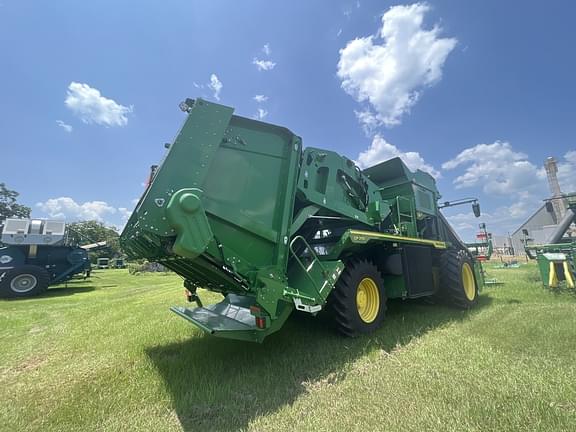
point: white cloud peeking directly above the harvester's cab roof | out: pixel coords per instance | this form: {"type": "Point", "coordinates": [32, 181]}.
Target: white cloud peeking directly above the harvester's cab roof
{"type": "Point", "coordinates": [380, 150]}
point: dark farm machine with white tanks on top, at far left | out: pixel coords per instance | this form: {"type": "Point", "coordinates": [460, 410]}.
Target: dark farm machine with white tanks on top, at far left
{"type": "Point", "coordinates": [37, 254]}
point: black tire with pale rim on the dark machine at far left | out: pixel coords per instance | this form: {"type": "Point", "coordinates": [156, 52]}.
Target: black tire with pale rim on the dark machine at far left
{"type": "Point", "coordinates": [24, 281]}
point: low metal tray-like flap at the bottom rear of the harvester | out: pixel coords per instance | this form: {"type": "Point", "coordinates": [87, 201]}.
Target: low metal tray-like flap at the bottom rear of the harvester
{"type": "Point", "coordinates": [231, 319]}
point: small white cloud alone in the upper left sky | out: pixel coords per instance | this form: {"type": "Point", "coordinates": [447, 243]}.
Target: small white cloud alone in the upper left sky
{"type": "Point", "coordinates": [91, 107]}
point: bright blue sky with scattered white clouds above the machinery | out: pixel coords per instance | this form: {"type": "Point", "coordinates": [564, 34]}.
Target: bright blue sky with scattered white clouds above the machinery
{"type": "Point", "coordinates": [478, 93]}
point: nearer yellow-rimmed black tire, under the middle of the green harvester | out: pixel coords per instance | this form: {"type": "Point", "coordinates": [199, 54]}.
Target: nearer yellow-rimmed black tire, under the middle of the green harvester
{"type": "Point", "coordinates": [357, 304]}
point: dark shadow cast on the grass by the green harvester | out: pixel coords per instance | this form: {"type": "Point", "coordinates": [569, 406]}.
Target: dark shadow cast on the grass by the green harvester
{"type": "Point", "coordinates": [219, 384]}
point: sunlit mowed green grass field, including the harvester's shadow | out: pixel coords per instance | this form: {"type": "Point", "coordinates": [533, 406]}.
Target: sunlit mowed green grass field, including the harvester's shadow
{"type": "Point", "coordinates": [107, 354]}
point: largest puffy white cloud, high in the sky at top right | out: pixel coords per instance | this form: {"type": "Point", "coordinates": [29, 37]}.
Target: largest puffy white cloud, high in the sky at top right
{"type": "Point", "coordinates": [387, 72]}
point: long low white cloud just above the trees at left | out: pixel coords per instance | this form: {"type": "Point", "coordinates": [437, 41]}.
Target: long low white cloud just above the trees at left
{"type": "Point", "coordinates": [67, 208]}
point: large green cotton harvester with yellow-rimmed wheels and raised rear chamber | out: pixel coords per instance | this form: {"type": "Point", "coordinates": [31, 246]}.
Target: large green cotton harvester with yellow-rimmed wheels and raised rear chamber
{"type": "Point", "coordinates": [239, 207]}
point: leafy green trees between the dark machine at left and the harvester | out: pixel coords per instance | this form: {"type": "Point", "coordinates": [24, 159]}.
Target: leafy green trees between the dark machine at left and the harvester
{"type": "Point", "coordinates": [85, 232]}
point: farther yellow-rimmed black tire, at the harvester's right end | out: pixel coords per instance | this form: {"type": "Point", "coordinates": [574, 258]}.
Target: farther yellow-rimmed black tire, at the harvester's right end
{"type": "Point", "coordinates": [458, 286]}
